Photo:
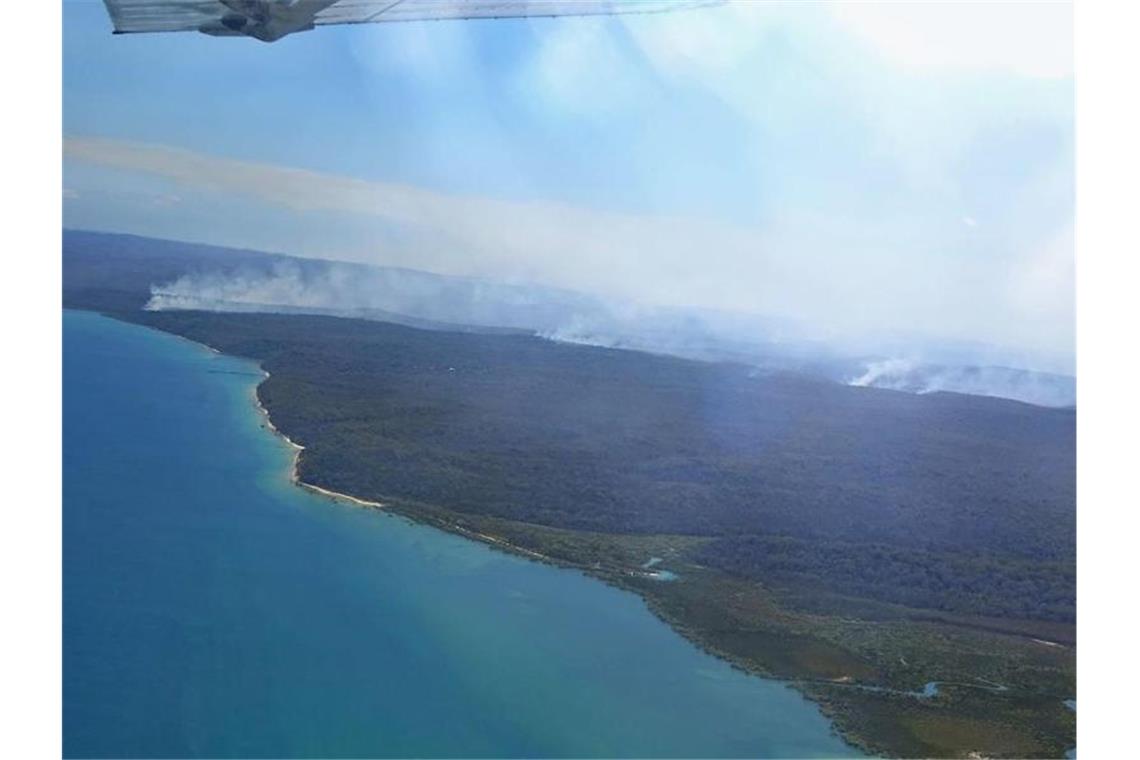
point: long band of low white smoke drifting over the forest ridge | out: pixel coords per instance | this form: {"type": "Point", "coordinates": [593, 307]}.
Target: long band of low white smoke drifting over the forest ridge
{"type": "Point", "coordinates": [445, 303]}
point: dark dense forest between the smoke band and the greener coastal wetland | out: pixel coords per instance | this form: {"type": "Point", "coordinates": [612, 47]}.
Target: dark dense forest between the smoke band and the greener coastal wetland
{"type": "Point", "coordinates": [948, 502]}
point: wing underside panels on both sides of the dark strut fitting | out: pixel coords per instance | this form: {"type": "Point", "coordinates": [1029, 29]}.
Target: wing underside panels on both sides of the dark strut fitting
{"type": "Point", "coordinates": [131, 17]}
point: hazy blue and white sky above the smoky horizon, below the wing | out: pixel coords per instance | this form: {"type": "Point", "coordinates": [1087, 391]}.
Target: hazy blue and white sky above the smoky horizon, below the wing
{"type": "Point", "coordinates": [857, 168]}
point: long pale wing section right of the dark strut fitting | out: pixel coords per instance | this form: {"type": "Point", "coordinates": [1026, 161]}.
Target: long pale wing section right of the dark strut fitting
{"type": "Point", "coordinates": [376, 12]}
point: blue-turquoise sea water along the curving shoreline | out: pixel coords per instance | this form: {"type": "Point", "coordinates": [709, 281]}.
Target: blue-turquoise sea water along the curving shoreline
{"type": "Point", "coordinates": [213, 609]}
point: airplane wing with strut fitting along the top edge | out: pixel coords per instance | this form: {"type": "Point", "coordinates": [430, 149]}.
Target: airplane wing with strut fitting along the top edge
{"type": "Point", "coordinates": [272, 20]}
